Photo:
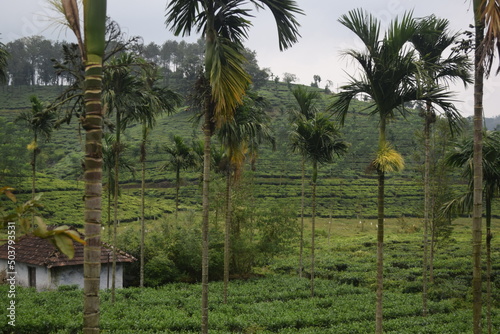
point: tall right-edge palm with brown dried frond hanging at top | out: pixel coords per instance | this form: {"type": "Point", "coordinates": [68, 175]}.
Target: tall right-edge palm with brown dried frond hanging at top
{"type": "Point", "coordinates": [487, 33]}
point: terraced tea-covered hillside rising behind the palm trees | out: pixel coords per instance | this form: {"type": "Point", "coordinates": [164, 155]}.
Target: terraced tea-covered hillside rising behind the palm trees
{"type": "Point", "coordinates": [344, 188]}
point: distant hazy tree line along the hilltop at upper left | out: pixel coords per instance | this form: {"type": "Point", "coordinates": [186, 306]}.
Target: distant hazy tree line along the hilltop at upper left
{"type": "Point", "coordinates": [33, 59]}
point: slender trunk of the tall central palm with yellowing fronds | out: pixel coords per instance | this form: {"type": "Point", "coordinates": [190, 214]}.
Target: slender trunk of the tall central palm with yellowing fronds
{"type": "Point", "coordinates": [206, 208]}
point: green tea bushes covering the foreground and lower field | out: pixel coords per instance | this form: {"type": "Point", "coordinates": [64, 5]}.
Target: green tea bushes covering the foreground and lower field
{"type": "Point", "coordinates": [280, 302]}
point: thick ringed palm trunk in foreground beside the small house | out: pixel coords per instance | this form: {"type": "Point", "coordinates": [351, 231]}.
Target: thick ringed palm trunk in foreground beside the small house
{"type": "Point", "coordinates": [94, 23]}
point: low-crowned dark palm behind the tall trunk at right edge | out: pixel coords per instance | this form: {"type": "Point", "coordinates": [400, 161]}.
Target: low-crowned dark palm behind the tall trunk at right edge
{"type": "Point", "coordinates": [462, 156]}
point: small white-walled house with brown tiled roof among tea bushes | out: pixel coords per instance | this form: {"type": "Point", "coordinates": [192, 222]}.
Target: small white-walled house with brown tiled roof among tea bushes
{"type": "Point", "coordinates": [39, 264]}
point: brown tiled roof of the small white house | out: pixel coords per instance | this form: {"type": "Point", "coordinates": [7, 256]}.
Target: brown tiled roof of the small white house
{"type": "Point", "coordinates": [33, 250]}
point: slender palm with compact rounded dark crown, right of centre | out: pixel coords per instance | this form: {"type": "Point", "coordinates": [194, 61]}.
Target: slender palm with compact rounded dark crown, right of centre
{"type": "Point", "coordinates": [318, 140]}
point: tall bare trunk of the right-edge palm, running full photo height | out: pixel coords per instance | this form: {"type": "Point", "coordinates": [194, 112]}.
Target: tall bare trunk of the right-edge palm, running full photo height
{"type": "Point", "coordinates": [478, 170]}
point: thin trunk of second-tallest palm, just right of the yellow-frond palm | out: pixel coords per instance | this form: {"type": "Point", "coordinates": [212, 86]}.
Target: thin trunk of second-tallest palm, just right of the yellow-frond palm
{"type": "Point", "coordinates": [427, 202]}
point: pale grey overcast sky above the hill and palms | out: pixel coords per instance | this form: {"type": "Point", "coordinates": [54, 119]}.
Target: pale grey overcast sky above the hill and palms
{"type": "Point", "coordinates": [317, 52]}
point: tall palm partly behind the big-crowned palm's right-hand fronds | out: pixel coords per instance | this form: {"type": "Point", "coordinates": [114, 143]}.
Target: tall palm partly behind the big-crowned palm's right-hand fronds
{"type": "Point", "coordinates": [431, 41]}
